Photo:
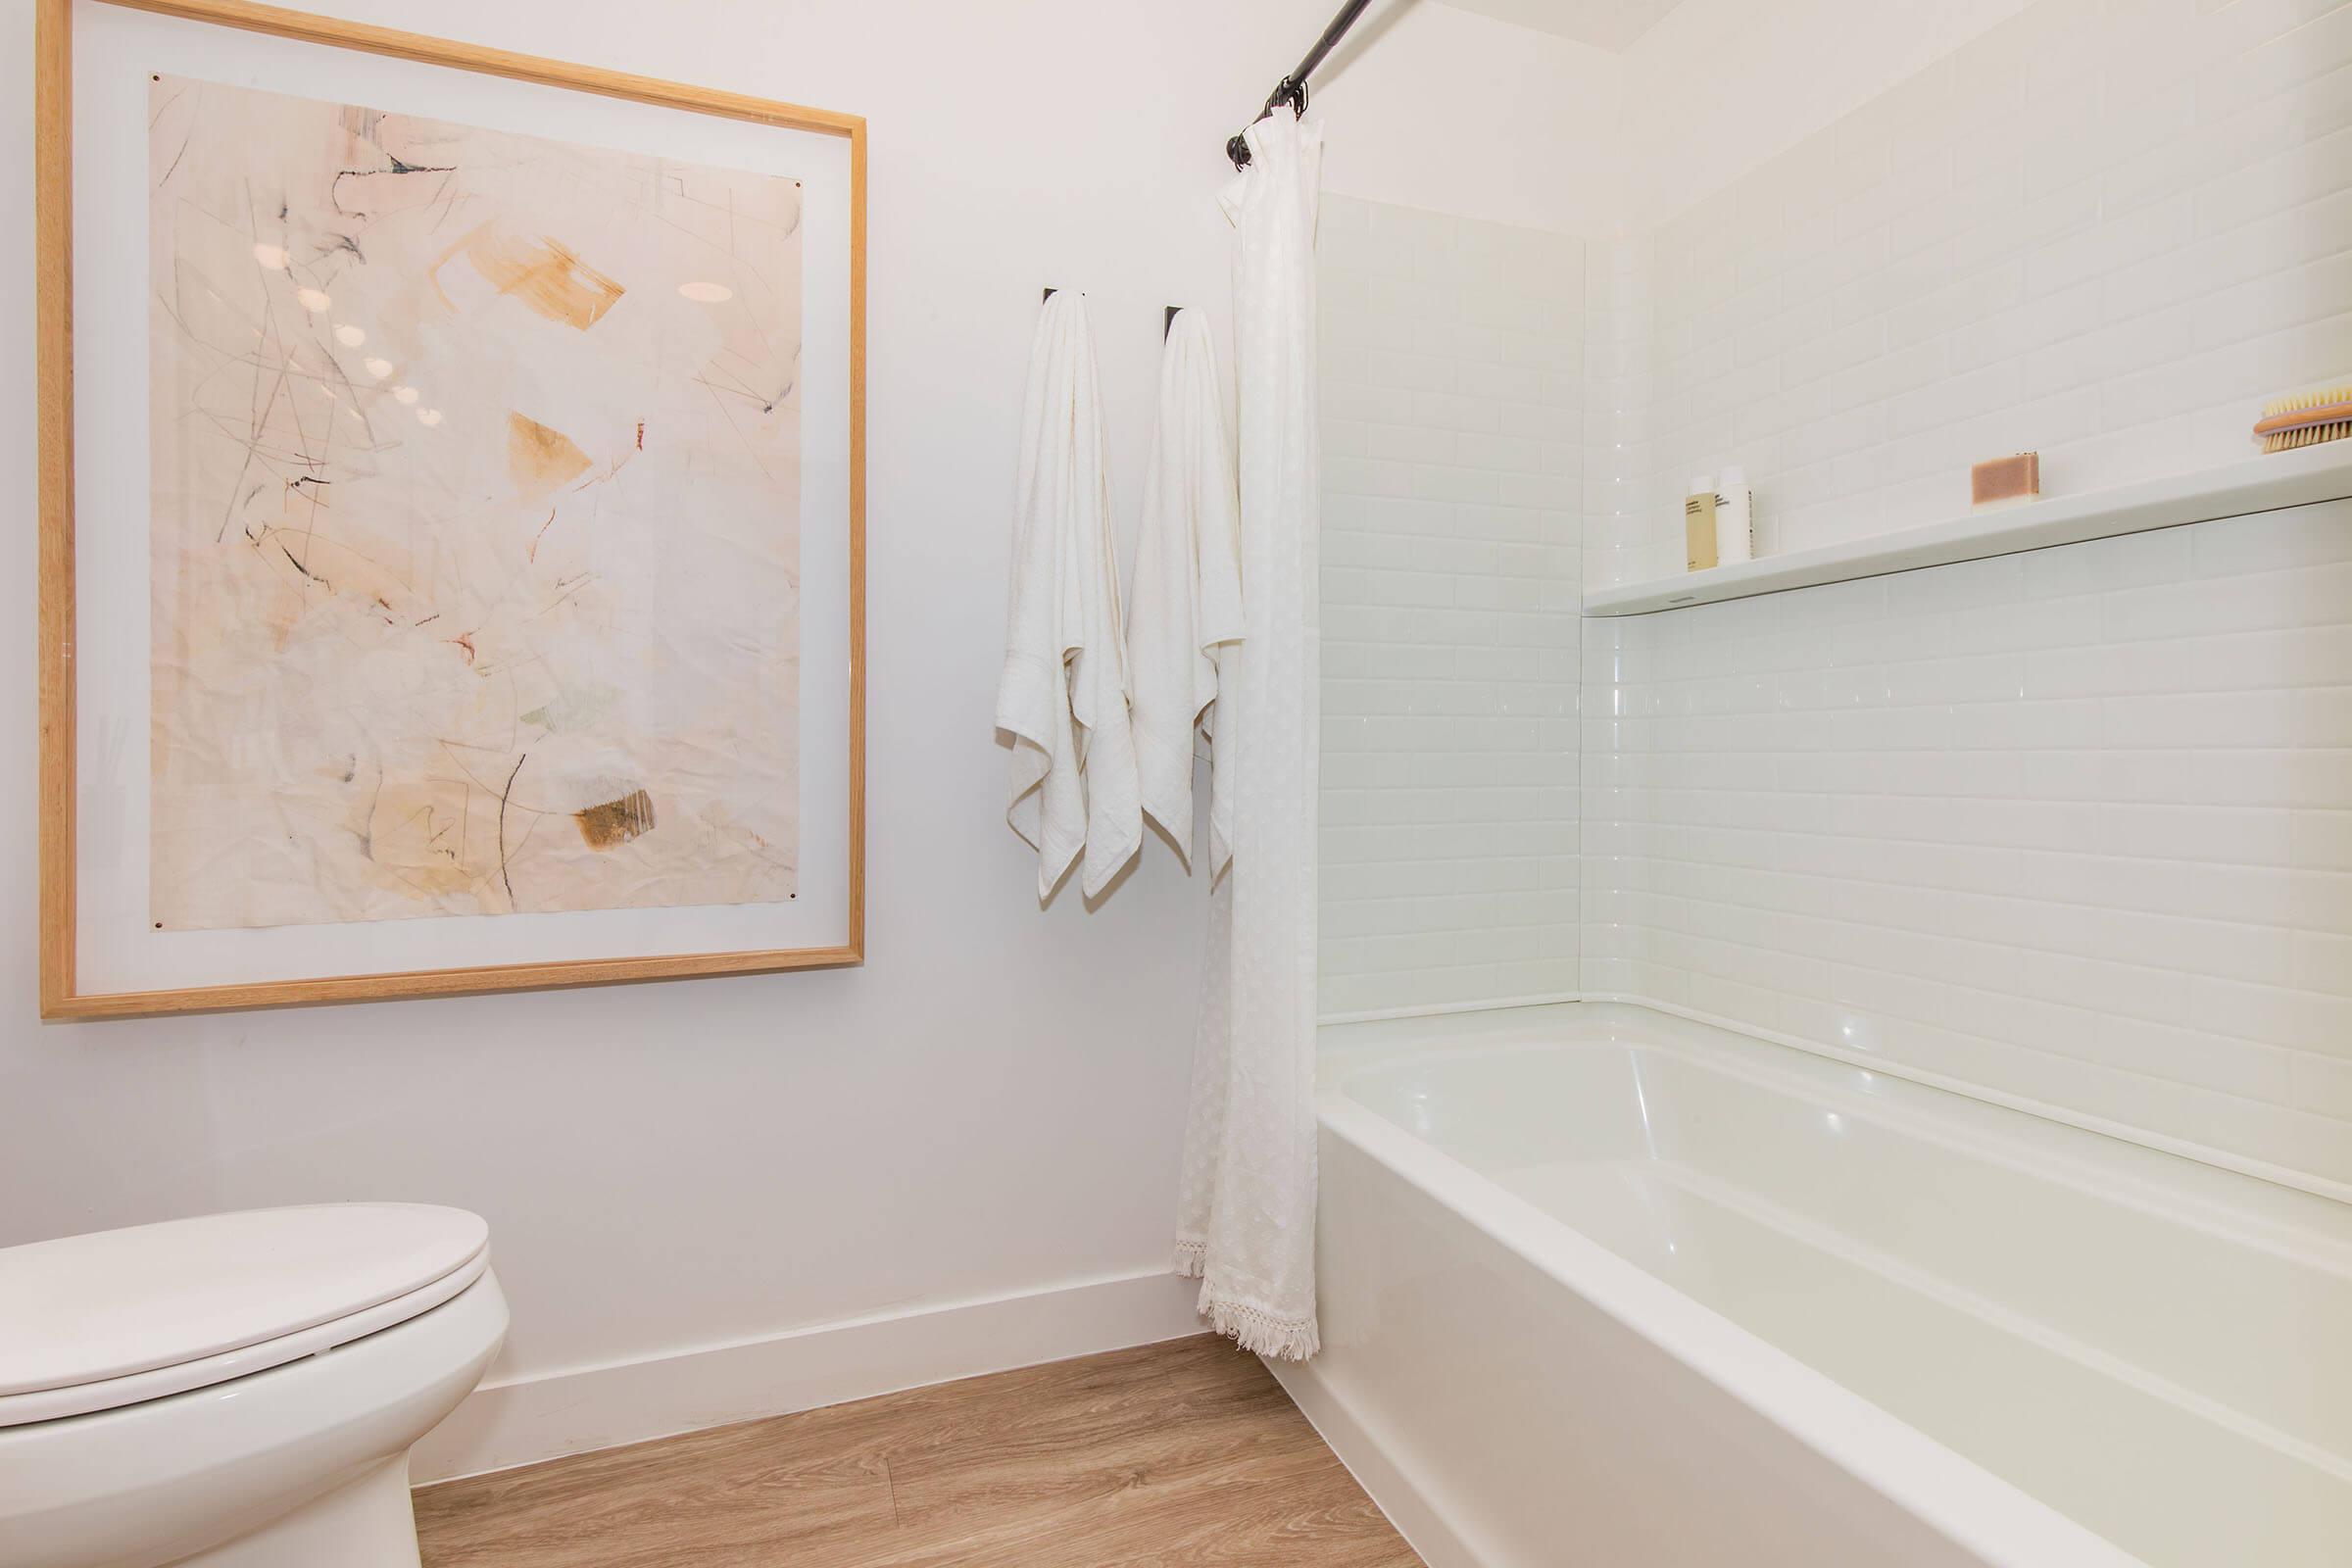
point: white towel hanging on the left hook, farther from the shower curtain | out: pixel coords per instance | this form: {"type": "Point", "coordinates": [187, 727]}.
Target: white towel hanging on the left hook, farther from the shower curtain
{"type": "Point", "coordinates": [1064, 688]}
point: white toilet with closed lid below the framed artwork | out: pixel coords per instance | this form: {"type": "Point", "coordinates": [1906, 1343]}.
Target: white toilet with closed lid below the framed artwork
{"type": "Point", "coordinates": [236, 1391]}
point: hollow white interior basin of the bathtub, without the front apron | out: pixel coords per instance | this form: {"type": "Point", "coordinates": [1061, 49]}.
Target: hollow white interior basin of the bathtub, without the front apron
{"type": "Point", "coordinates": [2156, 1348]}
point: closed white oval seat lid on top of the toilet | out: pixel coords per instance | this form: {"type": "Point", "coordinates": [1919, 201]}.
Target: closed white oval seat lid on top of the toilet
{"type": "Point", "coordinates": [131, 1301]}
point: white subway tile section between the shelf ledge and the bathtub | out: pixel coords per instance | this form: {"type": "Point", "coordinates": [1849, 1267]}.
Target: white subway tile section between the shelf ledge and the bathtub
{"type": "Point", "coordinates": [2073, 826]}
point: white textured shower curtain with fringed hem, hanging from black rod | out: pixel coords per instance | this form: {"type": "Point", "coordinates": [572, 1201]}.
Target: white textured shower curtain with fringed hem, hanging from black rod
{"type": "Point", "coordinates": [1248, 1212]}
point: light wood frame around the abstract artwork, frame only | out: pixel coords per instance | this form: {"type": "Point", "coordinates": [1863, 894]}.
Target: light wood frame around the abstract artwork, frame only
{"type": "Point", "coordinates": [62, 991]}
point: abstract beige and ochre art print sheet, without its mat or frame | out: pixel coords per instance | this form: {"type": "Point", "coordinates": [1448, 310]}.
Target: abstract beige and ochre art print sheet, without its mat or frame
{"type": "Point", "coordinates": [476, 521]}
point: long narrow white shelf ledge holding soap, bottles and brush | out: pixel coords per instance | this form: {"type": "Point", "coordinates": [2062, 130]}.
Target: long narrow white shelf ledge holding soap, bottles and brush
{"type": "Point", "coordinates": [2233, 490]}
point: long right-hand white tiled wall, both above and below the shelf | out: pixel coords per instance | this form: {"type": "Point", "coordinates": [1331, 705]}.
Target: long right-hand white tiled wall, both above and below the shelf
{"type": "Point", "coordinates": [2062, 826]}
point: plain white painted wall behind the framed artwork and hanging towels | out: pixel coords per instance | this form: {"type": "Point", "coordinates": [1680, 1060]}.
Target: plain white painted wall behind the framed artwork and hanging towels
{"type": "Point", "coordinates": [994, 1104]}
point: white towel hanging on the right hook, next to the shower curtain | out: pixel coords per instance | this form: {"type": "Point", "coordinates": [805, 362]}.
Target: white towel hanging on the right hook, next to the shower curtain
{"type": "Point", "coordinates": [1184, 624]}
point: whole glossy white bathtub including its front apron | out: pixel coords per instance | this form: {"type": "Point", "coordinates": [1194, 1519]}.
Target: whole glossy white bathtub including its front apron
{"type": "Point", "coordinates": [1608, 1287]}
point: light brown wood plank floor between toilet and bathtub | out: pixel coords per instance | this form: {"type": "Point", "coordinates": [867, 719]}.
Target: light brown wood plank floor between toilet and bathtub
{"type": "Point", "coordinates": [1170, 1454]}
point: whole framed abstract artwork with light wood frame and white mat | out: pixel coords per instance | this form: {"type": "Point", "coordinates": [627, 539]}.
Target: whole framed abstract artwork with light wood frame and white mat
{"type": "Point", "coordinates": [450, 518]}
